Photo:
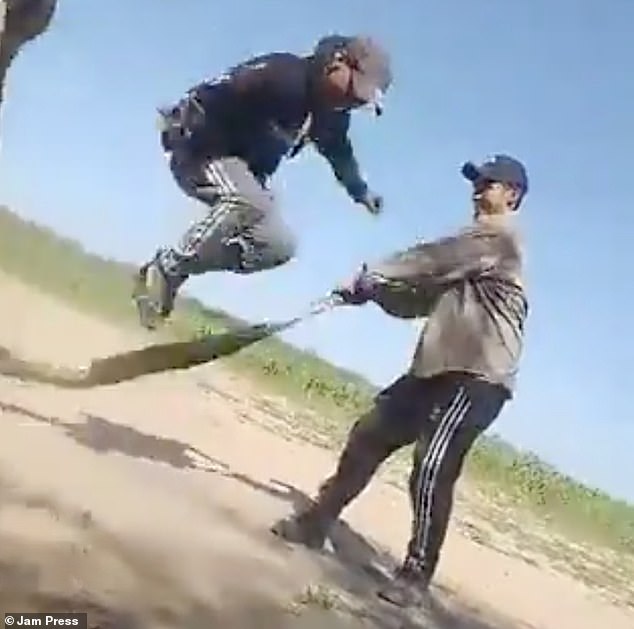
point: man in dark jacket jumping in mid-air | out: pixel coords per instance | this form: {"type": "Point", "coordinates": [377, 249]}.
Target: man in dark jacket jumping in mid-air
{"type": "Point", "coordinates": [227, 137]}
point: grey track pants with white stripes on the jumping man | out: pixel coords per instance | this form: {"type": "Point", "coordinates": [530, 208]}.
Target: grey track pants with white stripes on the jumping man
{"type": "Point", "coordinates": [241, 232]}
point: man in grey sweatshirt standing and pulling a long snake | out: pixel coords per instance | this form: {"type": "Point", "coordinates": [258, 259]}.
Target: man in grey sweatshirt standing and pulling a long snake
{"type": "Point", "coordinates": [470, 287]}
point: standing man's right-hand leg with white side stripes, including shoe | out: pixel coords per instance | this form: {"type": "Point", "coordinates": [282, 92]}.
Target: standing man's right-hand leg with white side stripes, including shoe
{"type": "Point", "coordinates": [463, 408]}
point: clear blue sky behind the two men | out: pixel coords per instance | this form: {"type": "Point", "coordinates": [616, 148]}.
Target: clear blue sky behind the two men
{"type": "Point", "coordinates": [550, 82]}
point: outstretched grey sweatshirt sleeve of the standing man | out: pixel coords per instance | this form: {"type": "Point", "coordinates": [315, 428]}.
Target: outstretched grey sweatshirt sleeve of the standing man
{"type": "Point", "coordinates": [409, 283]}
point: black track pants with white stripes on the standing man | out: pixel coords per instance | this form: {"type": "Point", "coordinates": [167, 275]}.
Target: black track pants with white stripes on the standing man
{"type": "Point", "coordinates": [443, 416]}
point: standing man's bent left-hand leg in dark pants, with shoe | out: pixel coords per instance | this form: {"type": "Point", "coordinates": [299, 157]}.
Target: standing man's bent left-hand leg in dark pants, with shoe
{"type": "Point", "coordinates": [391, 424]}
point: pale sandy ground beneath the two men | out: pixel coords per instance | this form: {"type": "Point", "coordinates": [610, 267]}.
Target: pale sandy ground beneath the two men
{"type": "Point", "coordinates": [148, 504]}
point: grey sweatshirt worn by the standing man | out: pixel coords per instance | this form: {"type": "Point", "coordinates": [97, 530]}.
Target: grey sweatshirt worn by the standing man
{"type": "Point", "coordinates": [470, 288]}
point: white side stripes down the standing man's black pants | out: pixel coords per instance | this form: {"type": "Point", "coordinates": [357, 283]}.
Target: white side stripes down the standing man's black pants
{"type": "Point", "coordinates": [432, 464]}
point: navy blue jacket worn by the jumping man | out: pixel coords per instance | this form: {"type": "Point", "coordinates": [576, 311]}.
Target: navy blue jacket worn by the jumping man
{"type": "Point", "coordinates": [262, 111]}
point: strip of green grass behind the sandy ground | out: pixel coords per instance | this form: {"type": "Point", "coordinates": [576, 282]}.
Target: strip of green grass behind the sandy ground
{"type": "Point", "coordinates": [61, 267]}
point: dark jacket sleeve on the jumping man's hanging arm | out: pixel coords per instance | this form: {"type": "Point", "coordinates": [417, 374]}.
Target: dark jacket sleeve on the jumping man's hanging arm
{"type": "Point", "coordinates": [330, 135]}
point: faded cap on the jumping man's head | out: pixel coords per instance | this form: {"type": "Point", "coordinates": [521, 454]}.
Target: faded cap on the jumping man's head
{"type": "Point", "coordinates": [370, 63]}
